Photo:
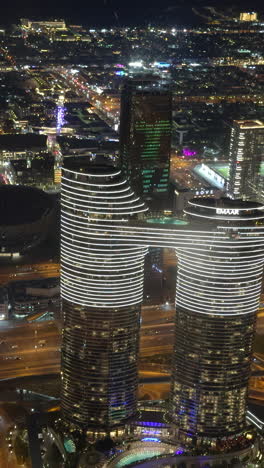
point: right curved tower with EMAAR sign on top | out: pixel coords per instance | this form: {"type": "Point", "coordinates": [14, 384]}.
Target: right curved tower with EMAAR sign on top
{"type": "Point", "coordinates": [217, 297]}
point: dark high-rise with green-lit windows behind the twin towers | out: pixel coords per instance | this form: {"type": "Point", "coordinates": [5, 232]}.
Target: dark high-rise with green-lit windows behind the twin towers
{"type": "Point", "coordinates": [145, 139]}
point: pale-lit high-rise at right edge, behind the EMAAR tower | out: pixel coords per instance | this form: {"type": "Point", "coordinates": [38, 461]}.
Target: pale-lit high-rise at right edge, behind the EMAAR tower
{"type": "Point", "coordinates": [246, 152]}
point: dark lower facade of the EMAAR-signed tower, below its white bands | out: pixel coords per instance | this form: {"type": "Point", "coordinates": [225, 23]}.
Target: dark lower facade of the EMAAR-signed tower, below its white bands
{"type": "Point", "coordinates": [210, 374]}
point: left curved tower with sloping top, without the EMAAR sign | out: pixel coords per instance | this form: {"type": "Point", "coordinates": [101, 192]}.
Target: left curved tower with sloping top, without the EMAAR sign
{"type": "Point", "coordinates": [101, 284]}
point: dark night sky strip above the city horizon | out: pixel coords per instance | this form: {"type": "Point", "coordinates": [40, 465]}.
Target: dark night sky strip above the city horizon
{"type": "Point", "coordinates": [118, 12]}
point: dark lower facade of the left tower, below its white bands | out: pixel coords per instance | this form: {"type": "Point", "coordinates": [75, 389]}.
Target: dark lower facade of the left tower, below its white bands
{"type": "Point", "coordinates": [99, 361]}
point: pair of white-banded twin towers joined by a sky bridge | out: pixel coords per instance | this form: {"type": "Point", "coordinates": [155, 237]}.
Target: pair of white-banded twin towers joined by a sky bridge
{"type": "Point", "coordinates": [104, 240]}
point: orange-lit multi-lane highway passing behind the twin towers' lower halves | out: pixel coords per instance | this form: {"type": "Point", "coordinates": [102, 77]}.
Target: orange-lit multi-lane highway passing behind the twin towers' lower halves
{"type": "Point", "coordinates": [34, 348]}
